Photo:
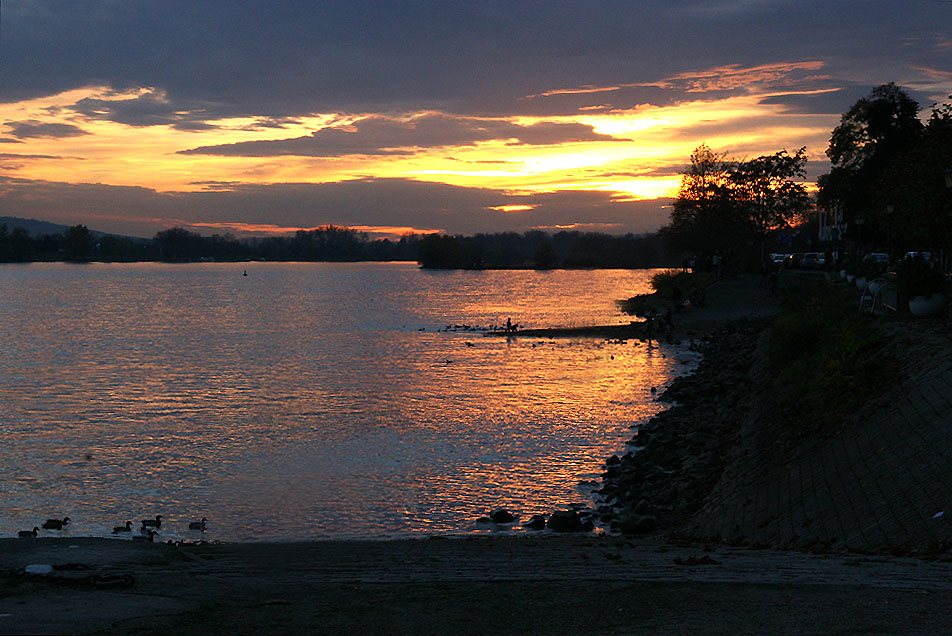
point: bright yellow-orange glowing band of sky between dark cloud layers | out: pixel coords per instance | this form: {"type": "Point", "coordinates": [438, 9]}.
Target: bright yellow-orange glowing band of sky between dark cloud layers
{"type": "Point", "coordinates": [637, 153]}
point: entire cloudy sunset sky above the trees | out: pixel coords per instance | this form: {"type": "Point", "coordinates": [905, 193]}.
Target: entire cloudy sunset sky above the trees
{"type": "Point", "coordinates": [133, 116]}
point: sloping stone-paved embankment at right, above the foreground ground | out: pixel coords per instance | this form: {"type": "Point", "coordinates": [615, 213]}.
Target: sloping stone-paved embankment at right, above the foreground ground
{"type": "Point", "coordinates": [882, 481]}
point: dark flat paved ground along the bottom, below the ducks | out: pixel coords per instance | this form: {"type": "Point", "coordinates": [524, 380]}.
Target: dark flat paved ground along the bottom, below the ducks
{"type": "Point", "coordinates": [512, 585]}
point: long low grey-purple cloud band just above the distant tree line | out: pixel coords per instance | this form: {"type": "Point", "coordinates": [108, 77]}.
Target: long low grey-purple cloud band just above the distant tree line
{"type": "Point", "coordinates": [358, 202]}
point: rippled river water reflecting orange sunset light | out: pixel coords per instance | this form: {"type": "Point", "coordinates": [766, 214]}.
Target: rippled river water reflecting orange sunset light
{"type": "Point", "coordinates": [307, 400]}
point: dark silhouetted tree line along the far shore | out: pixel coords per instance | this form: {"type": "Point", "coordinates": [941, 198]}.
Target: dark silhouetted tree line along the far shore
{"type": "Point", "coordinates": [329, 243]}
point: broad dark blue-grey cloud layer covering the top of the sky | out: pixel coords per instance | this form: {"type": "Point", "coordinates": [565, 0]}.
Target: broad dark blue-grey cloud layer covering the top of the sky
{"type": "Point", "coordinates": [282, 58]}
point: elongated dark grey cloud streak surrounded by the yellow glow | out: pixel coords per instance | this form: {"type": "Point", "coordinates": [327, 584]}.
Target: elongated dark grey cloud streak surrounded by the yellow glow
{"type": "Point", "coordinates": [386, 136]}
